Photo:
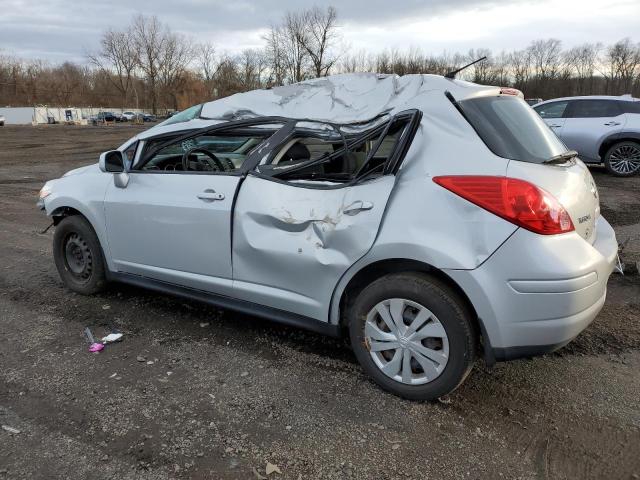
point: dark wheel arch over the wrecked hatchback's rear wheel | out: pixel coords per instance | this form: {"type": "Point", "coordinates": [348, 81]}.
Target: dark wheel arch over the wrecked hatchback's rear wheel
{"type": "Point", "coordinates": [375, 270]}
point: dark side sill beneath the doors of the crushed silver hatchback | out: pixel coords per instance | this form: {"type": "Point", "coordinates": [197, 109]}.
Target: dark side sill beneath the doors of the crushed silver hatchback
{"type": "Point", "coordinates": [242, 306]}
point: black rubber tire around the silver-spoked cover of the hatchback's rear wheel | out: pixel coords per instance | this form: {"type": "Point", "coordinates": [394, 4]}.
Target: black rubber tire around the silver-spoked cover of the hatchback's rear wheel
{"type": "Point", "coordinates": [450, 311]}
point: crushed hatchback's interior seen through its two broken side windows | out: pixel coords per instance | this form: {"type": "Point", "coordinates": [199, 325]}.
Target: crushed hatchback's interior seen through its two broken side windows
{"type": "Point", "coordinates": [324, 153]}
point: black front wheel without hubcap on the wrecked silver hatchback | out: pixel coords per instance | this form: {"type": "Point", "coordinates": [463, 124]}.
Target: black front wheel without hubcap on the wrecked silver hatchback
{"type": "Point", "coordinates": [78, 256]}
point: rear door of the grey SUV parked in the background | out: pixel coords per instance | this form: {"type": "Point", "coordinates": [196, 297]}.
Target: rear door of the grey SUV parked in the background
{"type": "Point", "coordinates": [588, 122]}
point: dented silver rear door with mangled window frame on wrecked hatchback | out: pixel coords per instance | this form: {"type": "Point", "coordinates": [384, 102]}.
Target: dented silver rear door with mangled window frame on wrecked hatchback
{"type": "Point", "coordinates": [296, 234]}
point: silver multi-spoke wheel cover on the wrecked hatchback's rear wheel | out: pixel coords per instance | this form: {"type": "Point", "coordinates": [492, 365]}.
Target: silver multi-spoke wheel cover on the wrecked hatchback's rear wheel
{"type": "Point", "coordinates": [406, 341]}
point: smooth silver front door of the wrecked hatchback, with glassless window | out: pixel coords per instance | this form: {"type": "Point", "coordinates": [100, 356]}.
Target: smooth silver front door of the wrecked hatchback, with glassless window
{"type": "Point", "coordinates": [172, 222]}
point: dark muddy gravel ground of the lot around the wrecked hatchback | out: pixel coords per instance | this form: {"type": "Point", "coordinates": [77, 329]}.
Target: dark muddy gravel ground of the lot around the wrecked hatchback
{"type": "Point", "coordinates": [193, 392]}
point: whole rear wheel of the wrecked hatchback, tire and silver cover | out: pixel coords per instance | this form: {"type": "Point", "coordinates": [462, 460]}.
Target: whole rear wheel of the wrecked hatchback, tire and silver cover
{"type": "Point", "coordinates": [413, 335]}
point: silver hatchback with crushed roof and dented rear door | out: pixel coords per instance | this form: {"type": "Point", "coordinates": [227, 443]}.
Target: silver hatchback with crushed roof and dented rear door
{"type": "Point", "coordinates": [428, 219]}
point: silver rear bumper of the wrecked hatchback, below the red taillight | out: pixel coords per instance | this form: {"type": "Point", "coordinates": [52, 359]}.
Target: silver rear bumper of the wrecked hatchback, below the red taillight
{"type": "Point", "coordinates": [536, 293]}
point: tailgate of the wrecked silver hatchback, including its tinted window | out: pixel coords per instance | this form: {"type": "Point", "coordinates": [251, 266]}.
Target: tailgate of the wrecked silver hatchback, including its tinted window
{"type": "Point", "coordinates": [513, 130]}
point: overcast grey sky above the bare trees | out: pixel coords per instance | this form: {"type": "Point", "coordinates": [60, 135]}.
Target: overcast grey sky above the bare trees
{"type": "Point", "coordinates": [59, 30]}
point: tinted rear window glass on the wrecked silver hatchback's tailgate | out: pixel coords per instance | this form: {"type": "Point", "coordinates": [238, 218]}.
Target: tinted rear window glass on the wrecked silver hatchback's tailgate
{"type": "Point", "coordinates": [511, 129]}
